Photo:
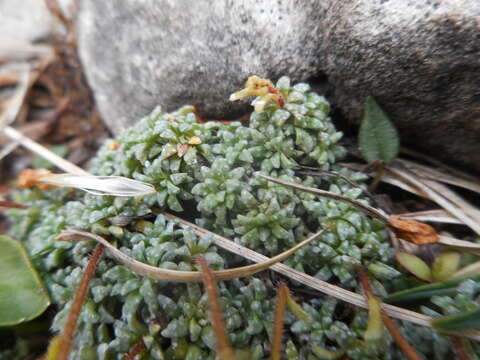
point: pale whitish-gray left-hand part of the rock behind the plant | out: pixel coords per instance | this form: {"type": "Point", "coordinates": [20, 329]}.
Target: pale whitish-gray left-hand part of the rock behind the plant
{"type": "Point", "coordinates": [138, 54]}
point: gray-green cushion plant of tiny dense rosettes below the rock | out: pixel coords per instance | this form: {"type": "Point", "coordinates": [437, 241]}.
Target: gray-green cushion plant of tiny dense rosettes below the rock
{"type": "Point", "coordinates": [205, 171]}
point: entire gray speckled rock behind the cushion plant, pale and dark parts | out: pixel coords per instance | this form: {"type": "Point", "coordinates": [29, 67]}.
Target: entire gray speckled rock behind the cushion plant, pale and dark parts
{"type": "Point", "coordinates": [419, 58]}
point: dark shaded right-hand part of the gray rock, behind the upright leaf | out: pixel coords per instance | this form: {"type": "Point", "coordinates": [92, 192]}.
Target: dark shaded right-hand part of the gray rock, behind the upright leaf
{"type": "Point", "coordinates": [420, 59]}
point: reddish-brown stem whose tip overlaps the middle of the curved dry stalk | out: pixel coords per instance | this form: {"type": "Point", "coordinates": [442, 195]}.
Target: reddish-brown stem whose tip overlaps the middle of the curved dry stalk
{"type": "Point", "coordinates": [224, 349]}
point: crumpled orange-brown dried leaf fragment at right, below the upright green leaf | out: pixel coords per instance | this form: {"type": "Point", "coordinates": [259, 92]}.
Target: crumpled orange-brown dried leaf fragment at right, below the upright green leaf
{"type": "Point", "coordinates": [413, 231]}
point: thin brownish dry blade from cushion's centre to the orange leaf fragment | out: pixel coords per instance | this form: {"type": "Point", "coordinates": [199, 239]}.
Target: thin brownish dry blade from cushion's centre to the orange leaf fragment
{"type": "Point", "coordinates": [359, 205]}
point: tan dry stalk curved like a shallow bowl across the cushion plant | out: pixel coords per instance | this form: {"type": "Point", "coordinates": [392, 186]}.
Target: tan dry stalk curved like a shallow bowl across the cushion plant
{"type": "Point", "coordinates": [157, 273]}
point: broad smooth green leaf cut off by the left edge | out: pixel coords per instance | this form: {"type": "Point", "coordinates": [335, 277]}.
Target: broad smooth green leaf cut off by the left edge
{"type": "Point", "coordinates": [22, 295]}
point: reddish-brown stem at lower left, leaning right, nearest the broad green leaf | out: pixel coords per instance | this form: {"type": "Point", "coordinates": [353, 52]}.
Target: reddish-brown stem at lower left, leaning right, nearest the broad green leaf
{"type": "Point", "coordinates": [66, 338]}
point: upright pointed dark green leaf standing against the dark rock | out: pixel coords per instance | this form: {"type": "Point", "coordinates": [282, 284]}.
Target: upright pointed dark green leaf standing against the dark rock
{"type": "Point", "coordinates": [378, 138]}
